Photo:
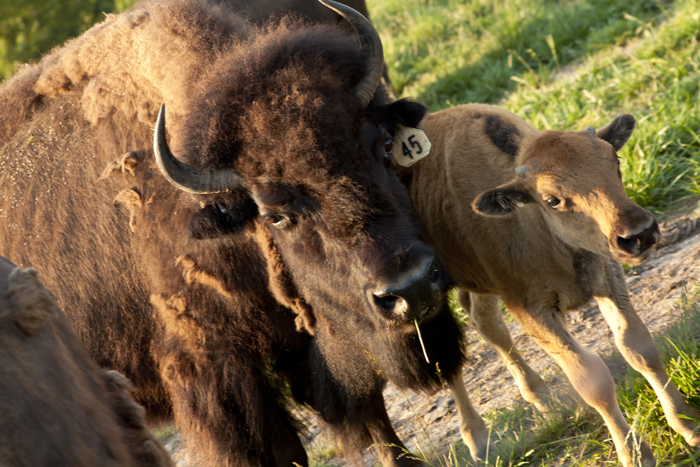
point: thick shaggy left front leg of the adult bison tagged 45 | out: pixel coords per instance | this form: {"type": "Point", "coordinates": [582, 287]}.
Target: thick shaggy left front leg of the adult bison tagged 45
{"type": "Point", "coordinates": [232, 417]}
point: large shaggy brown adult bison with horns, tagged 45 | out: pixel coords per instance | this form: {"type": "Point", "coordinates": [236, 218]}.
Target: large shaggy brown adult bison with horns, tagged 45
{"type": "Point", "coordinates": [275, 254]}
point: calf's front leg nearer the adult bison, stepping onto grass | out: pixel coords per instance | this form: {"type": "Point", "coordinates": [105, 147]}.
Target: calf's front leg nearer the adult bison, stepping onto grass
{"type": "Point", "coordinates": [589, 376]}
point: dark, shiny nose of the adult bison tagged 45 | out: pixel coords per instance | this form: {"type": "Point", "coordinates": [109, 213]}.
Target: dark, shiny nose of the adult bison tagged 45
{"type": "Point", "coordinates": [413, 296]}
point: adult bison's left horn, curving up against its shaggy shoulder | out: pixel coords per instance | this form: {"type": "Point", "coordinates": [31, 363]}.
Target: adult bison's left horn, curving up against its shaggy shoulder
{"type": "Point", "coordinates": [186, 177]}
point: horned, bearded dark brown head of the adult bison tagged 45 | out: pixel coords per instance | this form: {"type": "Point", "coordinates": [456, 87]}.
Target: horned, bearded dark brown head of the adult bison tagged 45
{"type": "Point", "coordinates": [287, 137]}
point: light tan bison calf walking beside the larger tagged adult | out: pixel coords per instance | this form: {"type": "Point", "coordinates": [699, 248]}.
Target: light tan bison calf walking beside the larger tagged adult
{"type": "Point", "coordinates": [542, 219]}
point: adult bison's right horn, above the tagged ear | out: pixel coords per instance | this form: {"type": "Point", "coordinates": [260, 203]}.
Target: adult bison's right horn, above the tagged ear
{"type": "Point", "coordinates": [370, 41]}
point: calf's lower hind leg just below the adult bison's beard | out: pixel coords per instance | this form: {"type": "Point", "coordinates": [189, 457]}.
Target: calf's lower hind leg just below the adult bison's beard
{"type": "Point", "coordinates": [471, 426]}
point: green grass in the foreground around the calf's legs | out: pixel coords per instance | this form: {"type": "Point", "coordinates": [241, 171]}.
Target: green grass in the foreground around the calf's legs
{"type": "Point", "coordinates": [577, 436]}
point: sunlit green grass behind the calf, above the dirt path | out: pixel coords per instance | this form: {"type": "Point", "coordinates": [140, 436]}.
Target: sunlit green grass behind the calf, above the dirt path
{"type": "Point", "coordinates": [565, 65]}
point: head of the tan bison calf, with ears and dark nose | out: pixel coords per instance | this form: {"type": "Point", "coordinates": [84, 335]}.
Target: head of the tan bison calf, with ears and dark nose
{"type": "Point", "coordinates": [575, 179]}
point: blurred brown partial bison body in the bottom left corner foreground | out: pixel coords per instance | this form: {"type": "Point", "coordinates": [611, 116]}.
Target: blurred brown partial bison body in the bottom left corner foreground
{"type": "Point", "coordinates": [57, 408]}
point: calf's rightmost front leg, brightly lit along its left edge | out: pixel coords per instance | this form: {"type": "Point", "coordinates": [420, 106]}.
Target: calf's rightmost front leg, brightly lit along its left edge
{"type": "Point", "coordinates": [637, 347]}
